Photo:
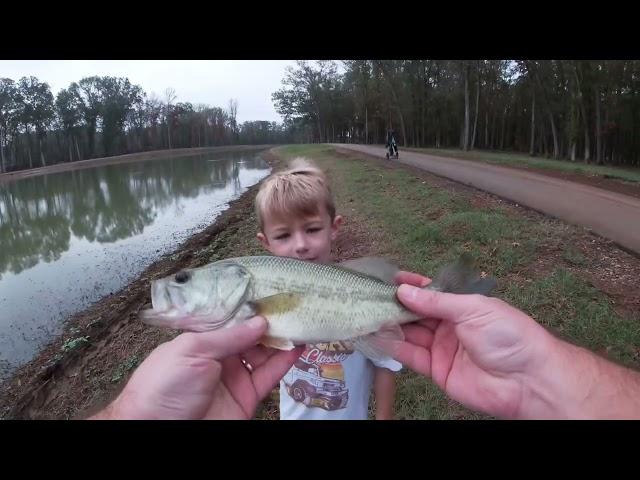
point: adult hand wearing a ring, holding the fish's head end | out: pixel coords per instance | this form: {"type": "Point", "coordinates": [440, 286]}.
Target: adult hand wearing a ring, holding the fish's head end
{"type": "Point", "coordinates": [202, 376]}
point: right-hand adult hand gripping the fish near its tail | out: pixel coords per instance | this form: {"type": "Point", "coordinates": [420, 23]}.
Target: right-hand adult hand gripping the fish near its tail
{"type": "Point", "coordinates": [481, 351]}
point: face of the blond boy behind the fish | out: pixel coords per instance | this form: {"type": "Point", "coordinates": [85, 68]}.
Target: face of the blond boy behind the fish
{"type": "Point", "coordinates": [306, 238]}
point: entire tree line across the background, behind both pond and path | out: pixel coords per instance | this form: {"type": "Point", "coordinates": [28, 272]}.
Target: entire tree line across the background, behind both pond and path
{"type": "Point", "coordinates": [585, 110]}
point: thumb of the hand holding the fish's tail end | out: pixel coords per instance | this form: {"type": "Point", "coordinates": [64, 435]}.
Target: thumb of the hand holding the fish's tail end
{"type": "Point", "coordinates": [446, 306]}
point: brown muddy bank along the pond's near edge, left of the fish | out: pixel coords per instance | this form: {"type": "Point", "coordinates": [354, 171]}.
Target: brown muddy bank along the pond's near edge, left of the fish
{"type": "Point", "coordinates": [91, 339]}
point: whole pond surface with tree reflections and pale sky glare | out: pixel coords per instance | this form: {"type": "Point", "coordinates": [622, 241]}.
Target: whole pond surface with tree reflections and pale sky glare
{"type": "Point", "coordinates": [69, 238]}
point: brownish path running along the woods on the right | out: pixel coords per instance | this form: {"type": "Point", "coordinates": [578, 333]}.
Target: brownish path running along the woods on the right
{"type": "Point", "coordinates": [609, 214]}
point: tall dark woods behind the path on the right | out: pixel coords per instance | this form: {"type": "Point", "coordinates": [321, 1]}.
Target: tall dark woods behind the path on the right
{"type": "Point", "coordinates": [586, 110]}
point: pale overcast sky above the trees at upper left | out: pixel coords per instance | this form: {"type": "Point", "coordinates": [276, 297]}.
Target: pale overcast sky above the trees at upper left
{"type": "Point", "coordinates": [214, 82]}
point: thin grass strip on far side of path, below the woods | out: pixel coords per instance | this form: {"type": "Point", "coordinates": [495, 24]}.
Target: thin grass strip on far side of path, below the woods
{"type": "Point", "coordinates": [518, 160]}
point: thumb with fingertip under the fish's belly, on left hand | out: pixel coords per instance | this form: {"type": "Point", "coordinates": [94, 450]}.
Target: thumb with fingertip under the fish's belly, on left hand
{"type": "Point", "coordinates": [218, 344]}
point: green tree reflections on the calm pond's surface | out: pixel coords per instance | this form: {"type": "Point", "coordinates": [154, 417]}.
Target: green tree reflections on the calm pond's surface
{"type": "Point", "coordinates": [38, 215]}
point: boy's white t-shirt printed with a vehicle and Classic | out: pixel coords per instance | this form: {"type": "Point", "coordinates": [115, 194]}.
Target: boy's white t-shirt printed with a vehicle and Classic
{"type": "Point", "coordinates": [330, 381]}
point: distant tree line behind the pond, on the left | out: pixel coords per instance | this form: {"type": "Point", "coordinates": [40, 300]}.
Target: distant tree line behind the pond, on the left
{"type": "Point", "coordinates": [102, 116]}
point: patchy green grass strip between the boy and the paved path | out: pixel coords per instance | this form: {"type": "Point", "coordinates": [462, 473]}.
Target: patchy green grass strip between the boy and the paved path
{"type": "Point", "coordinates": [426, 227]}
